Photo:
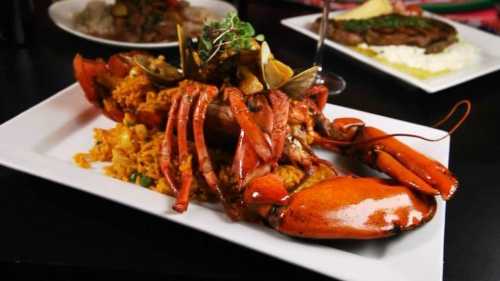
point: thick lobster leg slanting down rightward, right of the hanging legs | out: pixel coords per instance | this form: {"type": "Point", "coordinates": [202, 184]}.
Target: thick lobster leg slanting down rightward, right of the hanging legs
{"type": "Point", "coordinates": [255, 135]}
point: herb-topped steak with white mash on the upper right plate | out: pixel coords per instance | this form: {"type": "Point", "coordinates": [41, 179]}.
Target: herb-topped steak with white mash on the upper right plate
{"type": "Point", "coordinates": [402, 37]}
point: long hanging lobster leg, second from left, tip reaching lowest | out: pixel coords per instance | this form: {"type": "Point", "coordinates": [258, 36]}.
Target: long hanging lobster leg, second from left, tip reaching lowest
{"type": "Point", "coordinates": [189, 92]}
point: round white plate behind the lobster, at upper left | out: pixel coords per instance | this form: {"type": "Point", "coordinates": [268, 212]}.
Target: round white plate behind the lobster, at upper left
{"type": "Point", "coordinates": [62, 13]}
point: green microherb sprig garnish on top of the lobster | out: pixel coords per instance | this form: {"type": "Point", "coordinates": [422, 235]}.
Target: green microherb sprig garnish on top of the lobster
{"type": "Point", "coordinates": [230, 33]}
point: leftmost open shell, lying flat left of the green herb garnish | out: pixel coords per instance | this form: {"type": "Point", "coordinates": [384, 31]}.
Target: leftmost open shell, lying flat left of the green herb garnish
{"type": "Point", "coordinates": [158, 70]}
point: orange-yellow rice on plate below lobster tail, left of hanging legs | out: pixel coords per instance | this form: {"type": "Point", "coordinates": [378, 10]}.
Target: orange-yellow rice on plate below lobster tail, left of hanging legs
{"type": "Point", "coordinates": [133, 153]}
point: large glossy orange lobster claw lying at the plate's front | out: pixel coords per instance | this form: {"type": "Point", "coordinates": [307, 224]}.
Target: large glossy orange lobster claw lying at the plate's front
{"type": "Point", "coordinates": [352, 208]}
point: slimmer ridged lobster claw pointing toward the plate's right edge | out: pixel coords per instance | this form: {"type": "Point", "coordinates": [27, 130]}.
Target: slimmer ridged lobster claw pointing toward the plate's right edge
{"type": "Point", "coordinates": [403, 163]}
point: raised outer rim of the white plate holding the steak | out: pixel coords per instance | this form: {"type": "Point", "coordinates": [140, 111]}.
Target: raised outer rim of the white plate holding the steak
{"type": "Point", "coordinates": [291, 23]}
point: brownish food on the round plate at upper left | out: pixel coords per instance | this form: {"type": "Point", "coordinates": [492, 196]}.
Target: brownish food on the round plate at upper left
{"type": "Point", "coordinates": [144, 21]}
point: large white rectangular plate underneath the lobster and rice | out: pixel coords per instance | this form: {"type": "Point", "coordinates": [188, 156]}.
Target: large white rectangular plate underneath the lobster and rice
{"type": "Point", "coordinates": [42, 141]}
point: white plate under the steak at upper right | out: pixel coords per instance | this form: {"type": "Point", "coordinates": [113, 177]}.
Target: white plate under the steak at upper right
{"type": "Point", "coordinates": [488, 45]}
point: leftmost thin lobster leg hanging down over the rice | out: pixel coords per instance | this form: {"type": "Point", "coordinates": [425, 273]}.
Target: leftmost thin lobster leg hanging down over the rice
{"type": "Point", "coordinates": [168, 140]}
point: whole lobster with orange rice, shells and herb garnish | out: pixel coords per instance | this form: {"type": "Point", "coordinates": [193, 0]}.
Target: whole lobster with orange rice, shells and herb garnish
{"type": "Point", "coordinates": [237, 126]}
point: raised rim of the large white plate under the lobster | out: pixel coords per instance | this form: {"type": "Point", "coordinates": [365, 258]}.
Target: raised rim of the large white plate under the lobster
{"type": "Point", "coordinates": [12, 157]}
